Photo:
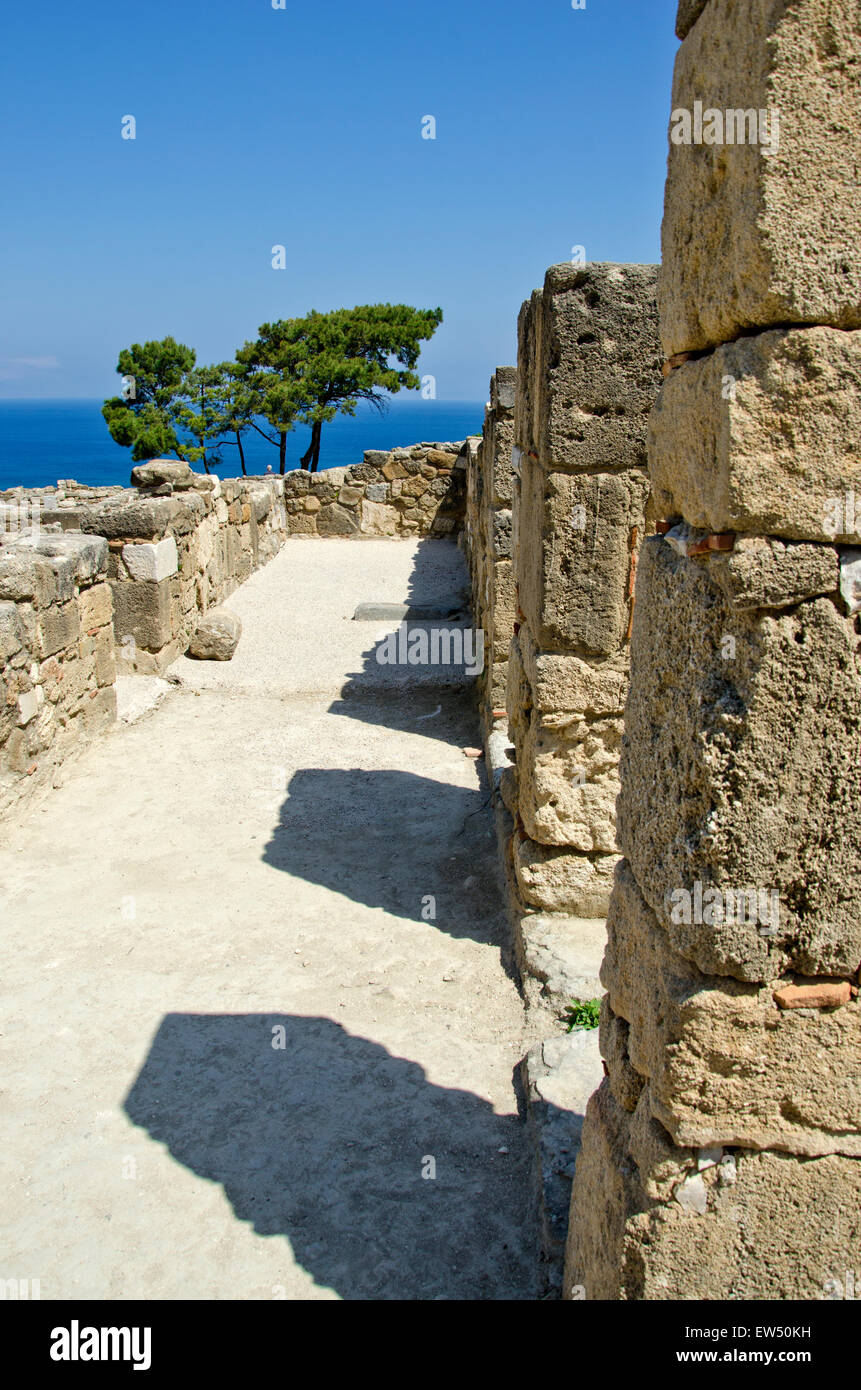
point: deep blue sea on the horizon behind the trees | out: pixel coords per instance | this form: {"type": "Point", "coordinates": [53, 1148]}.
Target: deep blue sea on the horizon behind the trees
{"type": "Point", "coordinates": [42, 441]}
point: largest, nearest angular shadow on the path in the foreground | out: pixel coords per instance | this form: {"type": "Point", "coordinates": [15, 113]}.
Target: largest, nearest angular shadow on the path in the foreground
{"type": "Point", "coordinates": [325, 1142]}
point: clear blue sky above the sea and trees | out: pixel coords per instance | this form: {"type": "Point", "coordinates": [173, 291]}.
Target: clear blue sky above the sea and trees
{"type": "Point", "coordinates": [303, 127]}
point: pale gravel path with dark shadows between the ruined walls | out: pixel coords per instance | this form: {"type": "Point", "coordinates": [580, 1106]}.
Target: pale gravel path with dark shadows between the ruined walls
{"type": "Point", "coordinates": [248, 865]}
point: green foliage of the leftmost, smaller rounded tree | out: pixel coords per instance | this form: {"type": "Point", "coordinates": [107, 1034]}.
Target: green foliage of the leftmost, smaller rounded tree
{"type": "Point", "coordinates": [144, 422]}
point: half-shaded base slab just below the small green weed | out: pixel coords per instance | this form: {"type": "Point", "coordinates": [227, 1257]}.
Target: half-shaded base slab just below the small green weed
{"type": "Point", "coordinates": [560, 1075]}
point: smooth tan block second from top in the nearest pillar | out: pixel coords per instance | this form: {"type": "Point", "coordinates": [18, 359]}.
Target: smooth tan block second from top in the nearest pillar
{"type": "Point", "coordinates": [763, 436]}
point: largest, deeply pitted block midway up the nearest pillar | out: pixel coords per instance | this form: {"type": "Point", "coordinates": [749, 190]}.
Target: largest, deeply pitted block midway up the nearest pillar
{"type": "Point", "coordinates": [742, 769]}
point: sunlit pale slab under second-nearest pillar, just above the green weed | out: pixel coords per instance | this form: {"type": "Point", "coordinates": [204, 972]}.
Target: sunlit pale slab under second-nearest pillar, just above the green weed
{"type": "Point", "coordinates": [564, 954]}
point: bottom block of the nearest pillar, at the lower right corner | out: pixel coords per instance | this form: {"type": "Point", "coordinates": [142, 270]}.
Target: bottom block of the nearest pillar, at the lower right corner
{"type": "Point", "coordinates": [631, 1238]}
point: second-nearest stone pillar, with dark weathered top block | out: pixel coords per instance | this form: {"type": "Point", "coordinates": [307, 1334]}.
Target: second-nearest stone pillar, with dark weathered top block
{"type": "Point", "coordinates": [589, 368]}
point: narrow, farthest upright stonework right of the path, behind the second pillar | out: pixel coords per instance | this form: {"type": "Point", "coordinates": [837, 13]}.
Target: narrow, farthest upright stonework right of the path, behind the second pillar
{"type": "Point", "coordinates": [489, 539]}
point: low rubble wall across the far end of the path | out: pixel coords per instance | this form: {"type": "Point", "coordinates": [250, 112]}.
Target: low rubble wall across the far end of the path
{"type": "Point", "coordinates": [418, 490]}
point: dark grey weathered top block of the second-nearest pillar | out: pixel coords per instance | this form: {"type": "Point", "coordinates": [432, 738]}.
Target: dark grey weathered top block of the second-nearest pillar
{"type": "Point", "coordinates": [589, 368]}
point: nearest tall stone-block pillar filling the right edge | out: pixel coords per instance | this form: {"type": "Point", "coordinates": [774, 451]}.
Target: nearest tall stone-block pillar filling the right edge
{"type": "Point", "coordinates": [723, 1154]}
